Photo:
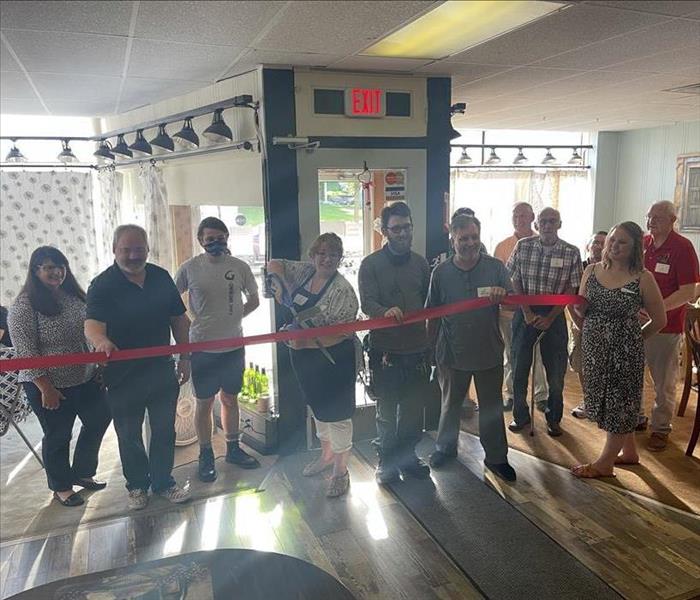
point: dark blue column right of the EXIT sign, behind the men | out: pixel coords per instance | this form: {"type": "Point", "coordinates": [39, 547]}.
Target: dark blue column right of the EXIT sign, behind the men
{"type": "Point", "coordinates": [437, 164]}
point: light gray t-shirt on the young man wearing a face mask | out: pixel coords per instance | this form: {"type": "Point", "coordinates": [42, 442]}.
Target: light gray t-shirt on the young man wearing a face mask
{"type": "Point", "coordinates": [216, 289]}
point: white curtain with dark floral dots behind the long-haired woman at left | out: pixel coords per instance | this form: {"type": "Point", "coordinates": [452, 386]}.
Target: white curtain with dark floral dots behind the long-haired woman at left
{"type": "Point", "coordinates": [41, 208]}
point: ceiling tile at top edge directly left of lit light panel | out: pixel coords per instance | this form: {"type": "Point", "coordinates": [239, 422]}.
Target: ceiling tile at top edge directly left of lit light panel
{"type": "Point", "coordinates": [344, 27]}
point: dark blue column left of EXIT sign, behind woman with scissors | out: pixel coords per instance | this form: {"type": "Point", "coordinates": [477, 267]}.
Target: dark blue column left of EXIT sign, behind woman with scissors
{"type": "Point", "coordinates": [281, 197]}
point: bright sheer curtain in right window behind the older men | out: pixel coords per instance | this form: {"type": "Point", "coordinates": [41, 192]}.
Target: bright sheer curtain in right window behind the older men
{"type": "Point", "coordinates": [492, 194]}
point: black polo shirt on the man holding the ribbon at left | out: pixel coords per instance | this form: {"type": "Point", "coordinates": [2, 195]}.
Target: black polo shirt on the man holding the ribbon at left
{"type": "Point", "coordinates": [136, 317]}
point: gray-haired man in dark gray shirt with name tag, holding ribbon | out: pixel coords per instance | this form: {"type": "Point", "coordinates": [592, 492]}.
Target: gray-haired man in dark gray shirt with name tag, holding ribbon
{"type": "Point", "coordinates": [469, 344]}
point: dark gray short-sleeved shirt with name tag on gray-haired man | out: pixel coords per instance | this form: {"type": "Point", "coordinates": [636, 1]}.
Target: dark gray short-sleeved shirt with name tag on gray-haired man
{"type": "Point", "coordinates": [469, 341]}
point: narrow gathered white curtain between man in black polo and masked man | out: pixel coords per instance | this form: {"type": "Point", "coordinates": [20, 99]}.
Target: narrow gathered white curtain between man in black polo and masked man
{"type": "Point", "coordinates": [157, 213]}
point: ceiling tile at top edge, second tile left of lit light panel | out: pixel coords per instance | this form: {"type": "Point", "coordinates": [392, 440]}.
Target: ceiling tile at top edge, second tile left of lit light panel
{"type": "Point", "coordinates": [216, 23]}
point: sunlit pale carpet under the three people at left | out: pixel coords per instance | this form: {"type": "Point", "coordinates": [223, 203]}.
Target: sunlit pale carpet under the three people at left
{"type": "Point", "coordinates": [27, 508]}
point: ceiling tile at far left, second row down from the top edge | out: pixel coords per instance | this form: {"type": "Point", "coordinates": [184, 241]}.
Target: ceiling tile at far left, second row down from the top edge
{"type": "Point", "coordinates": [55, 52]}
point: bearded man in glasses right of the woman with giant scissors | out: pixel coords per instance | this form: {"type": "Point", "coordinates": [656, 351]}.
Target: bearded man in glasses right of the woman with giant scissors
{"type": "Point", "coordinates": [394, 280]}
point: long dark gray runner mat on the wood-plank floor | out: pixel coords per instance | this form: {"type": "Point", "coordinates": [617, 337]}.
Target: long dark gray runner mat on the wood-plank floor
{"type": "Point", "coordinates": [501, 551]}
